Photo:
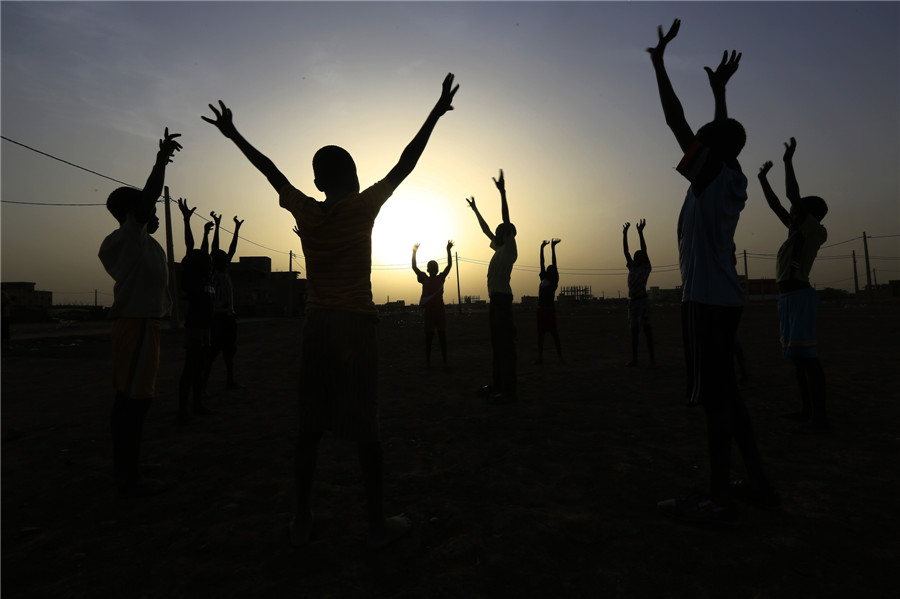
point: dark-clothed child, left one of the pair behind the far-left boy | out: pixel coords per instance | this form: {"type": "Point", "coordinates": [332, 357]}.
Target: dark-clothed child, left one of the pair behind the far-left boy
{"type": "Point", "coordinates": [197, 287]}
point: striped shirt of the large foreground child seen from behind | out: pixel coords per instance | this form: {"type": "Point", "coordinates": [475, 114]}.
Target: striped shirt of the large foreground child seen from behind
{"type": "Point", "coordinates": [337, 245]}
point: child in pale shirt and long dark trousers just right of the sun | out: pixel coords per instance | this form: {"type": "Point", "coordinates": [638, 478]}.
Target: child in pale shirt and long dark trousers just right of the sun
{"type": "Point", "coordinates": [503, 328]}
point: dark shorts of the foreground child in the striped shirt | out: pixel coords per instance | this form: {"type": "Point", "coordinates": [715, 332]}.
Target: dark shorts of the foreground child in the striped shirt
{"type": "Point", "coordinates": [339, 375]}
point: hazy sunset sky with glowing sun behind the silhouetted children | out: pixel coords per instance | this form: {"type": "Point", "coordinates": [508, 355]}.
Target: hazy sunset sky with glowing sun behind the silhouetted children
{"type": "Point", "coordinates": [560, 95]}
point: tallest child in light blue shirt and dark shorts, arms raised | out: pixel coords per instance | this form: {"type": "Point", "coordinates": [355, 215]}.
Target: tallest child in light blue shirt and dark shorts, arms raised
{"type": "Point", "coordinates": [712, 295]}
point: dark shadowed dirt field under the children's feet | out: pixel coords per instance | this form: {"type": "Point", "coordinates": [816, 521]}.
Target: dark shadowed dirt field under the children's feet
{"type": "Point", "coordinates": [551, 497]}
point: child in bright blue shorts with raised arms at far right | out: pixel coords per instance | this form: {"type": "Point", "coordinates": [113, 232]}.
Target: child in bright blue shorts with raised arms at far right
{"type": "Point", "coordinates": [798, 302]}
